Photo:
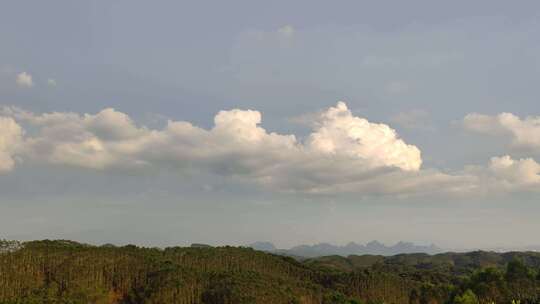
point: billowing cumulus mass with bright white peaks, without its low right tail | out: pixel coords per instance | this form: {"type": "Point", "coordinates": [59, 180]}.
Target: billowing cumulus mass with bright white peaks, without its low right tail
{"type": "Point", "coordinates": [341, 147]}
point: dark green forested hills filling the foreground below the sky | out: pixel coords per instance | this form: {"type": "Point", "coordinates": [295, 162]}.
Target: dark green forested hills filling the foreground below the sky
{"type": "Point", "coordinates": [70, 272]}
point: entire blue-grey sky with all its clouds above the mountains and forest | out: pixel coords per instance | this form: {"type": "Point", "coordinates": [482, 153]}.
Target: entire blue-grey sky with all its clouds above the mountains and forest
{"type": "Point", "coordinates": [297, 122]}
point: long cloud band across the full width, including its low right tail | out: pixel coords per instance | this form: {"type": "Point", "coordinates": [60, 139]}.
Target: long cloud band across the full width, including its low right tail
{"type": "Point", "coordinates": [343, 153]}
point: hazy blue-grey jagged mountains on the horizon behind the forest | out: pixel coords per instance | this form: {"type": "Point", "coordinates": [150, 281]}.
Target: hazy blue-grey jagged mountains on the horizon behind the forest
{"type": "Point", "coordinates": [325, 249]}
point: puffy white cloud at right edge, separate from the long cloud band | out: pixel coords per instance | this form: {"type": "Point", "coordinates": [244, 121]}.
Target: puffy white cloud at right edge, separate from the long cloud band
{"type": "Point", "coordinates": [524, 132]}
